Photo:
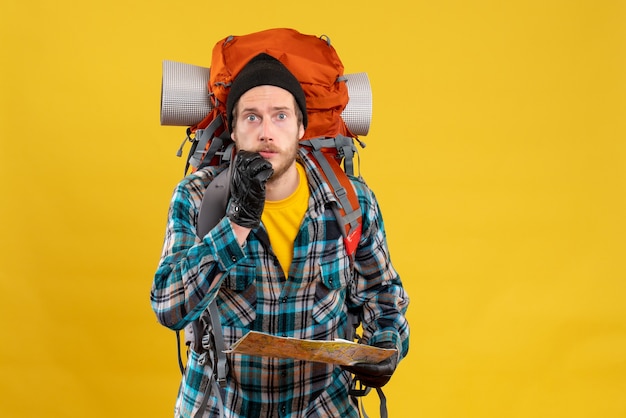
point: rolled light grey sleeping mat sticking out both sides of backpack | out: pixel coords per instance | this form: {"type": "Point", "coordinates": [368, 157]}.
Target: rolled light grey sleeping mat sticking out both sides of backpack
{"type": "Point", "coordinates": [185, 100]}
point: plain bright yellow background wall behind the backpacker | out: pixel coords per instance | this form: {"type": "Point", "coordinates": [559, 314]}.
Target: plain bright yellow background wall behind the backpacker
{"type": "Point", "coordinates": [497, 151]}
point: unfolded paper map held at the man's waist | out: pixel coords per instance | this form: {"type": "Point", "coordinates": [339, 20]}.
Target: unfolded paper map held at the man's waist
{"type": "Point", "coordinates": [342, 352]}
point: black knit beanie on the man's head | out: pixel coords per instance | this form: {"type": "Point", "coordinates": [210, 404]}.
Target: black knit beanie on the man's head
{"type": "Point", "coordinates": [264, 70]}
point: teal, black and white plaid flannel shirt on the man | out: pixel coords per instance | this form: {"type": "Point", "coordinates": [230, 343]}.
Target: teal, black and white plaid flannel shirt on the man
{"type": "Point", "coordinates": [253, 294]}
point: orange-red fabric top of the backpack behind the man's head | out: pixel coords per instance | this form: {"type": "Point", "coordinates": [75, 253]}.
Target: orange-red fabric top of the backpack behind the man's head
{"type": "Point", "coordinates": [312, 60]}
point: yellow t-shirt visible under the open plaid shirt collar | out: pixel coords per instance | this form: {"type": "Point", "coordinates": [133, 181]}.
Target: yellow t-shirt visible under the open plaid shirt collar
{"type": "Point", "coordinates": [282, 219]}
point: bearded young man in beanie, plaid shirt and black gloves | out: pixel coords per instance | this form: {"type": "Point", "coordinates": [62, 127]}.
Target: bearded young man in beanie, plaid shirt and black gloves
{"type": "Point", "coordinates": [276, 263]}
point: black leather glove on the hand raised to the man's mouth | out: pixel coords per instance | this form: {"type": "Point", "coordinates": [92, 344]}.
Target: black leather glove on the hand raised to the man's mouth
{"type": "Point", "coordinates": [247, 189]}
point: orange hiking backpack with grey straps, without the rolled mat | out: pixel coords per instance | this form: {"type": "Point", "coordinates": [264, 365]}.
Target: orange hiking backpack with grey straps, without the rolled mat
{"type": "Point", "coordinates": [316, 65]}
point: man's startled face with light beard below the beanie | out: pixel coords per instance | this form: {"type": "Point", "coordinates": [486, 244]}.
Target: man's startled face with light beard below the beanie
{"type": "Point", "coordinates": [265, 121]}
